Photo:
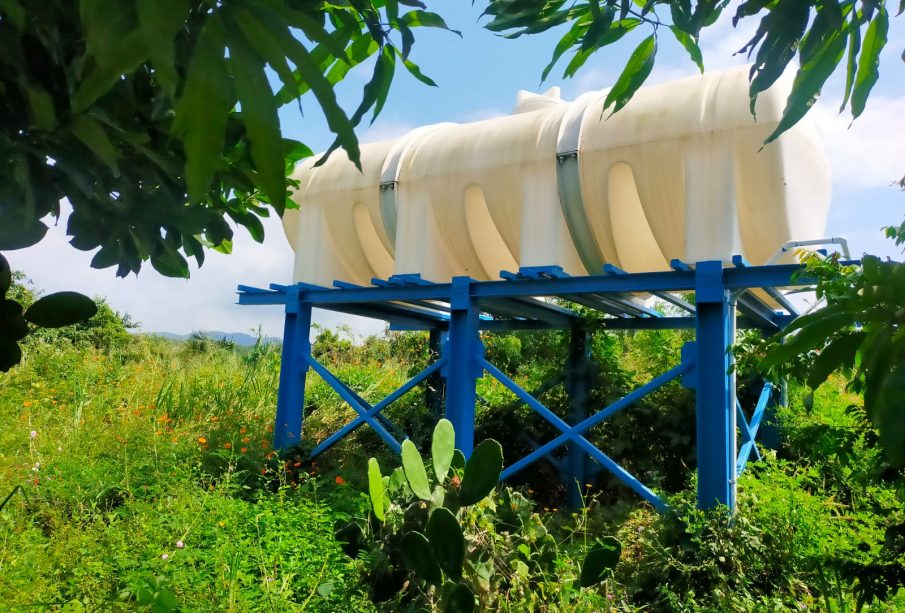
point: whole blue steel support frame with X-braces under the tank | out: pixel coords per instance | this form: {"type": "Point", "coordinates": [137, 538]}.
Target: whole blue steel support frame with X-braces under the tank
{"type": "Point", "coordinates": [460, 309]}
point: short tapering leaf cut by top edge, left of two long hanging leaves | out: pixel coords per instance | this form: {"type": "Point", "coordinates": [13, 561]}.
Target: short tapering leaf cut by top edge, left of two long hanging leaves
{"type": "Point", "coordinates": [160, 21]}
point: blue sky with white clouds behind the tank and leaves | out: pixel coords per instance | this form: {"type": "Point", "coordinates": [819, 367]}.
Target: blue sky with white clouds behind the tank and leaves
{"type": "Point", "coordinates": [479, 76]}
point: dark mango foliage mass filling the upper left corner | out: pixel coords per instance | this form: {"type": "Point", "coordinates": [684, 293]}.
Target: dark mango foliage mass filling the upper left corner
{"type": "Point", "coordinates": [158, 121]}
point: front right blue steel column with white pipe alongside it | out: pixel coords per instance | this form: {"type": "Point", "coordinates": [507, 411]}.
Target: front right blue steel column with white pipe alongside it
{"type": "Point", "coordinates": [715, 407]}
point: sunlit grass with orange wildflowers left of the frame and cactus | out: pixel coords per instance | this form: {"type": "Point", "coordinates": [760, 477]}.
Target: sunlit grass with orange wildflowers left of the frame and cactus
{"type": "Point", "coordinates": [134, 454]}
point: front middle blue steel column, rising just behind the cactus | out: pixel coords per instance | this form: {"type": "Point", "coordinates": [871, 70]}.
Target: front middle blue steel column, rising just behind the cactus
{"type": "Point", "coordinates": [463, 351]}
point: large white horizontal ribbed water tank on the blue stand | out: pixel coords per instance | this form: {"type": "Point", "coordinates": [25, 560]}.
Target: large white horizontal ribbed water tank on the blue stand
{"type": "Point", "coordinates": [680, 172]}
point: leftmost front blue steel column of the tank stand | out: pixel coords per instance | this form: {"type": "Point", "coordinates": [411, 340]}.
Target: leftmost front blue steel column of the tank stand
{"type": "Point", "coordinates": [287, 430]}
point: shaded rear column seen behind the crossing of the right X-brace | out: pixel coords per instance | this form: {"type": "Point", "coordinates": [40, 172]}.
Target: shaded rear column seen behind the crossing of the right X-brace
{"type": "Point", "coordinates": [577, 380]}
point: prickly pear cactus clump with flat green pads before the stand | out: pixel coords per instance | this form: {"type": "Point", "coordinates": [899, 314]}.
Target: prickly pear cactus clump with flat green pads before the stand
{"type": "Point", "coordinates": [424, 530]}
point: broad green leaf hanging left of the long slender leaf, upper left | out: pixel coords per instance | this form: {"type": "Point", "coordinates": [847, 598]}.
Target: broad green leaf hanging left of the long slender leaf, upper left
{"type": "Point", "coordinates": [201, 111]}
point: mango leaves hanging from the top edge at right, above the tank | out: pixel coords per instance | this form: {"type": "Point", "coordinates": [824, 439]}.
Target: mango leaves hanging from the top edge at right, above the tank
{"type": "Point", "coordinates": [823, 35]}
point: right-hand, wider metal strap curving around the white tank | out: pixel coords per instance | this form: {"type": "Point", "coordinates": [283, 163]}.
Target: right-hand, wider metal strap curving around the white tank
{"type": "Point", "coordinates": [568, 181]}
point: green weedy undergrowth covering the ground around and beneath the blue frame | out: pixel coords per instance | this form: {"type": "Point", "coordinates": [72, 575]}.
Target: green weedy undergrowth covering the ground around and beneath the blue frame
{"type": "Point", "coordinates": [140, 477]}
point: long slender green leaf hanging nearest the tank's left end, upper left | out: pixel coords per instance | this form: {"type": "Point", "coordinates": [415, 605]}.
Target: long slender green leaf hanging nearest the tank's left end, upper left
{"type": "Point", "coordinates": [259, 114]}
